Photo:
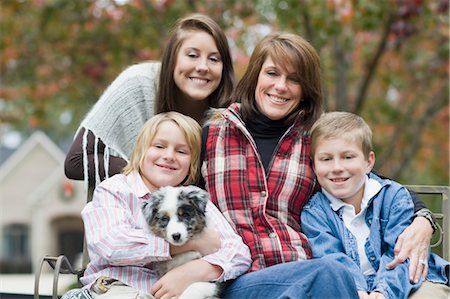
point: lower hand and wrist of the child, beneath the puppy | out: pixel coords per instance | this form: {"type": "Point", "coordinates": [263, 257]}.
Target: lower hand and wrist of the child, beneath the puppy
{"type": "Point", "coordinates": [175, 282]}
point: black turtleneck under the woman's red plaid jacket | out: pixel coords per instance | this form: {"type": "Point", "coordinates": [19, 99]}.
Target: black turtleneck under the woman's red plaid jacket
{"type": "Point", "coordinates": [266, 133]}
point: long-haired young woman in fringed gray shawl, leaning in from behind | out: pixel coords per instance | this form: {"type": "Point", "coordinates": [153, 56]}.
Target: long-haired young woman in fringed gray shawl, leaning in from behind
{"type": "Point", "coordinates": [196, 73]}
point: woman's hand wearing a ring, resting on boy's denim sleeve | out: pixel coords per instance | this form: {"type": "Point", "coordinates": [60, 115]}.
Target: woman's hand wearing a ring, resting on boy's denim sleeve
{"type": "Point", "coordinates": [413, 244]}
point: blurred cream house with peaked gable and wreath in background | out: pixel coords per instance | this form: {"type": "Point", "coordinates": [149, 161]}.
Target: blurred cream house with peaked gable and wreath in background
{"type": "Point", "coordinates": [39, 207]}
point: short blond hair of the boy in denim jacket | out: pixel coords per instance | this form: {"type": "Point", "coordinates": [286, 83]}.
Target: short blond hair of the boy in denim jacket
{"type": "Point", "coordinates": [345, 125]}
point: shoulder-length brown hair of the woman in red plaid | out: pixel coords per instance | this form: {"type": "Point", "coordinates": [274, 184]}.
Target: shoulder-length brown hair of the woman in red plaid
{"type": "Point", "coordinates": [285, 49]}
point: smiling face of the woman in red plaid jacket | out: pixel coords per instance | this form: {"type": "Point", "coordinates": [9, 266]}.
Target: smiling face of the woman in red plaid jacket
{"type": "Point", "coordinates": [278, 91]}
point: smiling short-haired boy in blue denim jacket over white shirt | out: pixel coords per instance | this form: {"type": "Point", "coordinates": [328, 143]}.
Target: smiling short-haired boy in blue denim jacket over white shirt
{"type": "Point", "coordinates": [358, 216]}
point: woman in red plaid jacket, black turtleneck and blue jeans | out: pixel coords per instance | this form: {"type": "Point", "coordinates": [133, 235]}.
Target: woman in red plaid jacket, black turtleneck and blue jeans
{"type": "Point", "coordinates": [258, 172]}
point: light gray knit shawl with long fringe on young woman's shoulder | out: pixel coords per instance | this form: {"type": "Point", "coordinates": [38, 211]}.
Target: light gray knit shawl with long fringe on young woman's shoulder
{"type": "Point", "coordinates": [119, 114]}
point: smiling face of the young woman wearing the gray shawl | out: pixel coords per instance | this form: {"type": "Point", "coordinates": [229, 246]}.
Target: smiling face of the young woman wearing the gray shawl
{"type": "Point", "coordinates": [198, 70]}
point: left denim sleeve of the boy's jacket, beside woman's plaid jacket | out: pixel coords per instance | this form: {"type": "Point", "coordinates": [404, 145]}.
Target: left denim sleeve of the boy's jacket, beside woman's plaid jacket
{"type": "Point", "coordinates": [322, 231]}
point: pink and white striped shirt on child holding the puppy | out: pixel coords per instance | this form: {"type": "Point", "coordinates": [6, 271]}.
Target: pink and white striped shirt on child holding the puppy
{"type": "Point", "coordinates": [121, 246]}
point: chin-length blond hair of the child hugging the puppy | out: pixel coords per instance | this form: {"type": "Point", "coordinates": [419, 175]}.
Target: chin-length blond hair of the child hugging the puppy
{"type": "Point", "coordinates": [191, 131]}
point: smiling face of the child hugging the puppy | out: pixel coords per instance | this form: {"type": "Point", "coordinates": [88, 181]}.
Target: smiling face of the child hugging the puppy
{"type": "Point", "coordinates": [167, 160]}
